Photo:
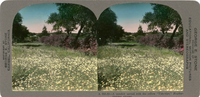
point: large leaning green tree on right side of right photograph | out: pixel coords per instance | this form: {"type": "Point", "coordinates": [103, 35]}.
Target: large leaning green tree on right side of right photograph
{"type": "Point", "coordinates": [164, 18]}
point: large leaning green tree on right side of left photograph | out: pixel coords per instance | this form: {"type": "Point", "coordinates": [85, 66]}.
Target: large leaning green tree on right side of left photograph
{"type": "Point", "coordinates": [71, 15]}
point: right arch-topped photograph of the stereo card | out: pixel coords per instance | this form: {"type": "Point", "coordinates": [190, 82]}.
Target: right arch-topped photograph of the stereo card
{"type": "Point", "coordinates": [140, 48]}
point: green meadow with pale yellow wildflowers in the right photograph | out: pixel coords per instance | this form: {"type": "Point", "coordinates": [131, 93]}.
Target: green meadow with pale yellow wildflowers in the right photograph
{"type": "Point", "coordinates": [139, 69]}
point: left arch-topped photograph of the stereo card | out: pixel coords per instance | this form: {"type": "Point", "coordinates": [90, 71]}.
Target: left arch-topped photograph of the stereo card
{"type": "Point", "coordinates": [54, 48]}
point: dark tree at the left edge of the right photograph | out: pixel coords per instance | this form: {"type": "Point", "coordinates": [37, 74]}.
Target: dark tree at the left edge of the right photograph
{"type": "Point", "coordinates": [107, 27]}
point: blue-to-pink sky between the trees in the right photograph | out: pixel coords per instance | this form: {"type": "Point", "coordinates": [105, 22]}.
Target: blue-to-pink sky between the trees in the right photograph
{"type": "Point", "coordinates": [130, 15]}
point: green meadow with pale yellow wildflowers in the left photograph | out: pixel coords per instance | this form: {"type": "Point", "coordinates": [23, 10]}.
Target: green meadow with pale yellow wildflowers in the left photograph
{"type": "Point", "coordinates": [48, 68]}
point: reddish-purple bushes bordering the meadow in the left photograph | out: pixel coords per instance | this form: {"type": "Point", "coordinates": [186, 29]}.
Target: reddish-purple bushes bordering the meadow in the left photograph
{"type": "Point", "coordinates": [88, 44]}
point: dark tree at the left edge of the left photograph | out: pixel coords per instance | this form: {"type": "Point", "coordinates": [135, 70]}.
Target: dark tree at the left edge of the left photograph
{"type": "Point", "coordinates": [19, 31]}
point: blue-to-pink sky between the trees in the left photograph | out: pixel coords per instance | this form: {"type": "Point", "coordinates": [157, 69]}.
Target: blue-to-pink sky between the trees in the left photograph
{"type": "Point", "coordinates": [35, 16]}
